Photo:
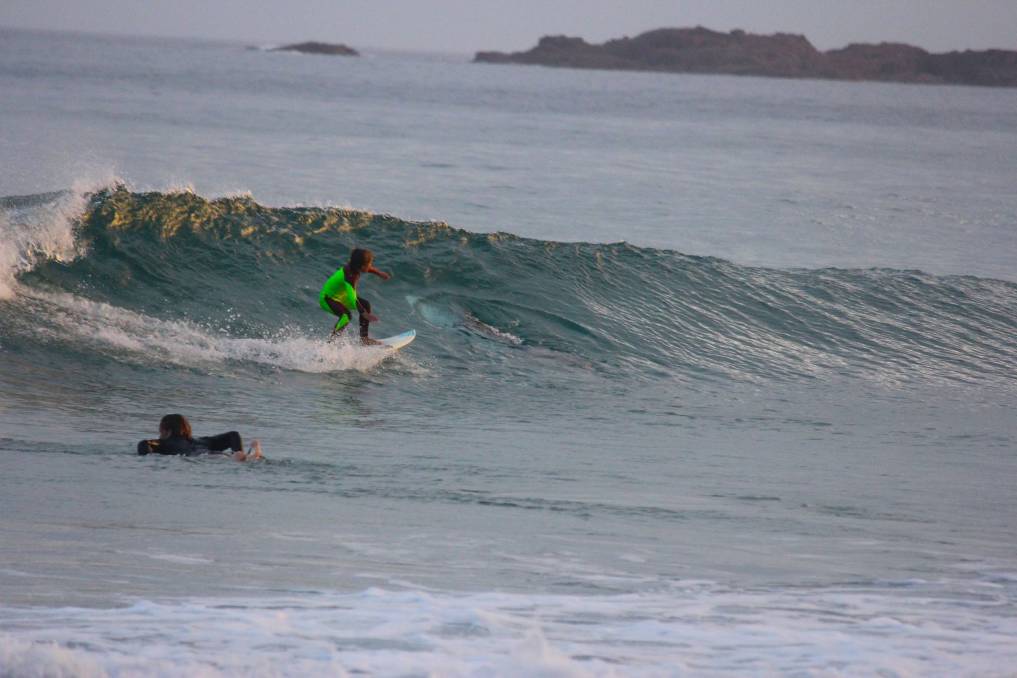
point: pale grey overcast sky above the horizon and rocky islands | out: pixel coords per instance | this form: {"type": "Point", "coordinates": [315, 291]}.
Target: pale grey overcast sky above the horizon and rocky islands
{"type": "Point", "coordinates": [468, 26]}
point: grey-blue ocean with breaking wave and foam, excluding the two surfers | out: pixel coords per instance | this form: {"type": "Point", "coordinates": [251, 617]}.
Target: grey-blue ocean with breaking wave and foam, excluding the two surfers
{"type": "Point", "coordinates": [714, 376]}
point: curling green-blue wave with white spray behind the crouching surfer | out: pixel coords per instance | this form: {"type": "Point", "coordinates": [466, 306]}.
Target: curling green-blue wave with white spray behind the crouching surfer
{"type": "Point", "coordinates": [175, 278]}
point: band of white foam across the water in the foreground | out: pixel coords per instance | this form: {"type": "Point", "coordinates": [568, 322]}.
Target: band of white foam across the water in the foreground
{"type": "Point", "coordinates": [699, 630]}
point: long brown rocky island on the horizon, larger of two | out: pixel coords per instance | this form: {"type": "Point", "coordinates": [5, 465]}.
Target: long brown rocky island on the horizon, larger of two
{"type": "Point", "coordinates": [700, 50]}
